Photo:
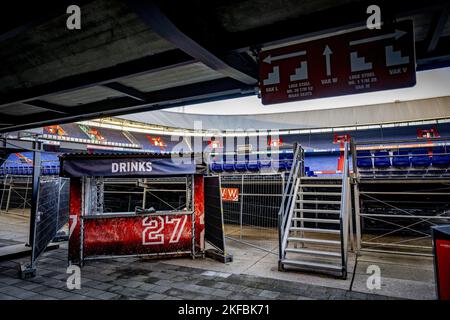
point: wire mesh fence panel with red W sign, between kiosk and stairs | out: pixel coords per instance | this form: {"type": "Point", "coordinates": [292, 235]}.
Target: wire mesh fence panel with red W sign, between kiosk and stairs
{"type": "Point", "coordinates": [251, 203]}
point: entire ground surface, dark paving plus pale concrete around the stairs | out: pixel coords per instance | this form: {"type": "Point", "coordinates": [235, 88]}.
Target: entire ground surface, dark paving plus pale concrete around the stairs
{"type": "Point", "coordinates": [252, 275]}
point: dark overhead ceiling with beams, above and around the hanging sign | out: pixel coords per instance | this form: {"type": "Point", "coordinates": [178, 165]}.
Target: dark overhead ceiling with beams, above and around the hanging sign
{"type": "Point", "coordinates": [132, 56]}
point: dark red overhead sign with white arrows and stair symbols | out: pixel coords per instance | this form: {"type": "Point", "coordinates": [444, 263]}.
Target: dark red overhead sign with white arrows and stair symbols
{"type": "Point", "coordinates": [350, 63]}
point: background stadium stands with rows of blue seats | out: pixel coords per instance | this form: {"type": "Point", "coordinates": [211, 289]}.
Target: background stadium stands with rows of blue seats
{"type": "Point", "coordinates": [321, 154]}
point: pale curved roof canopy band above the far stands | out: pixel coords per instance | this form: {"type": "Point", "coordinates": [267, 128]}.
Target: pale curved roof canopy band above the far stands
{"type": "Point", "coordinates": [405, 111]}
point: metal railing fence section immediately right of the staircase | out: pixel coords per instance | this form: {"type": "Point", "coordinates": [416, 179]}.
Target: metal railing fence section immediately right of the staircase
{"type": "Point", "coordinates": [397, 218]}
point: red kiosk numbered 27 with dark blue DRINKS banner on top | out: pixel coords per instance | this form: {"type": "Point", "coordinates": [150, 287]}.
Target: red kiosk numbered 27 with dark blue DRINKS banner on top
{"type": "Point", "coordinates": [144, 231]}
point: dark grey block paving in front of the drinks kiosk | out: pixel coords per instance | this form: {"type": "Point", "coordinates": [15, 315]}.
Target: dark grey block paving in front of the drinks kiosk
{"type": "Point", "coordinates": [145, 279]}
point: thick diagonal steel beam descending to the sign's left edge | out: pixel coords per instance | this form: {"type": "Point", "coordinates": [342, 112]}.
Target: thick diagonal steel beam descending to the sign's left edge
{"type": "Point", "coordinates": [151, 14]}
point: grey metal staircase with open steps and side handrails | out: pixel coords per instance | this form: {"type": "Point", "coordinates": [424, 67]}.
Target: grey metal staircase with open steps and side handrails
{"type": "Point", "coordinates": [316, 223]}
